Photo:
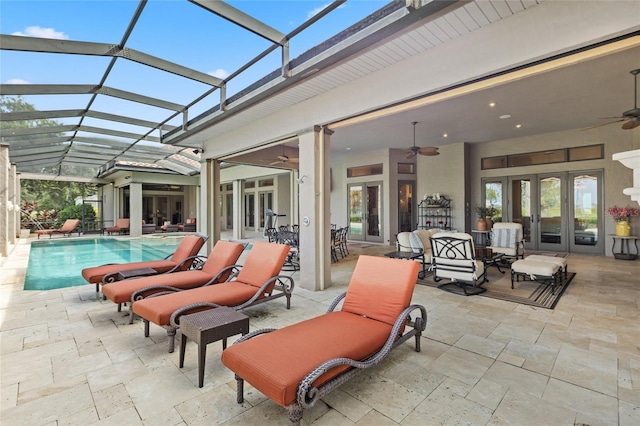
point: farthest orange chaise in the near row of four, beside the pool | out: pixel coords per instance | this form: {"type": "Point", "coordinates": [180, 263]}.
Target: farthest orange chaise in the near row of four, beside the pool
{"type": "Point", "coordinates": [180, 260]}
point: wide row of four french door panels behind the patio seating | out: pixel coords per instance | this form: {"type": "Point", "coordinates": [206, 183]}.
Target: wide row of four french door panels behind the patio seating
{"type": "Point", "coordinates": [560, 212]}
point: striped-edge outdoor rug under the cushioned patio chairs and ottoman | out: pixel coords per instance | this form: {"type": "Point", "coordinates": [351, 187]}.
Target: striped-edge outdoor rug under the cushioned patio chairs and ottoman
{"type": "Point", "coordinates": [499, 287]}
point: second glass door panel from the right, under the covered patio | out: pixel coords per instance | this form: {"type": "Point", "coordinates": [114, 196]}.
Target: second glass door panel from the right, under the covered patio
{"type": "Point", "coordinates": [552, 232]}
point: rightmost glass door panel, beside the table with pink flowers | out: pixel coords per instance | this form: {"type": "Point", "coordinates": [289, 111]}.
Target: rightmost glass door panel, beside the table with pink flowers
{"type": "Point", "coordinates": [587, 220]}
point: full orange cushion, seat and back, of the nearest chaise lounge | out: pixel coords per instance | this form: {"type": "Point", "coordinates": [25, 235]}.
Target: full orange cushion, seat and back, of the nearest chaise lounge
{"type": "Point", "coordinates": [275, 363]}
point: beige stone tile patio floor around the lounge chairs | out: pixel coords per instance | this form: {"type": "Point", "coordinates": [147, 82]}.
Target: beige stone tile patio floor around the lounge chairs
{"type": "Point", "coordinates": [69, 358]}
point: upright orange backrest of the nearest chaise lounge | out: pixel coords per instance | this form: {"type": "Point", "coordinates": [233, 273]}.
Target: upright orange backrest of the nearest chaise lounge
{"type": "Point", "coordinates": [380, 288]}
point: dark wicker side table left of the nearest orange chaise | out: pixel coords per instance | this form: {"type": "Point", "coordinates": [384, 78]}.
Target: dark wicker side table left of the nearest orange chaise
{"type": "Point", "coordinates": [210, 326]}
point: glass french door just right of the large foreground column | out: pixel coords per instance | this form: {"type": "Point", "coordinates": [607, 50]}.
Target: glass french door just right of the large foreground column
{"type": "Point", "coordinates": [365, 210]}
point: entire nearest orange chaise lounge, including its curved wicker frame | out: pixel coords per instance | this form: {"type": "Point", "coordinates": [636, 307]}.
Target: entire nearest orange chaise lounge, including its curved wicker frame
{"type": "Point", "coordinates": [297, 365]}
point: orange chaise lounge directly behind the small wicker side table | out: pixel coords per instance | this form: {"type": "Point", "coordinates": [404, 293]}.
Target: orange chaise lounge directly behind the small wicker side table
{"type": "Point", "coordinates": [257, 281]}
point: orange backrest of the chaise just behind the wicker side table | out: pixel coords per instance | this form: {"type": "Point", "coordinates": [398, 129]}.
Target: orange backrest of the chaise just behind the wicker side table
{"type": "Point", "coordinates": [264, 261]}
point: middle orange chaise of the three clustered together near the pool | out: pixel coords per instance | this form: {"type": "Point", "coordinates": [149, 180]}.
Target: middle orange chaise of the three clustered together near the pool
{"type": "Point", "coordinates": [217, 268]}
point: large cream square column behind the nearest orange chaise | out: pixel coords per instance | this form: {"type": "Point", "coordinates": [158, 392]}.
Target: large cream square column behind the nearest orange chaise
{"type": "Point", "coordinates": [314, 197]}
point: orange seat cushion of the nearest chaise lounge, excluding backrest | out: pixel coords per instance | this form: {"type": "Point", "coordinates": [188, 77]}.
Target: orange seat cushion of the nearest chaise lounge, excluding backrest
{"type": "Point", "coordinates": [276, 362]}
